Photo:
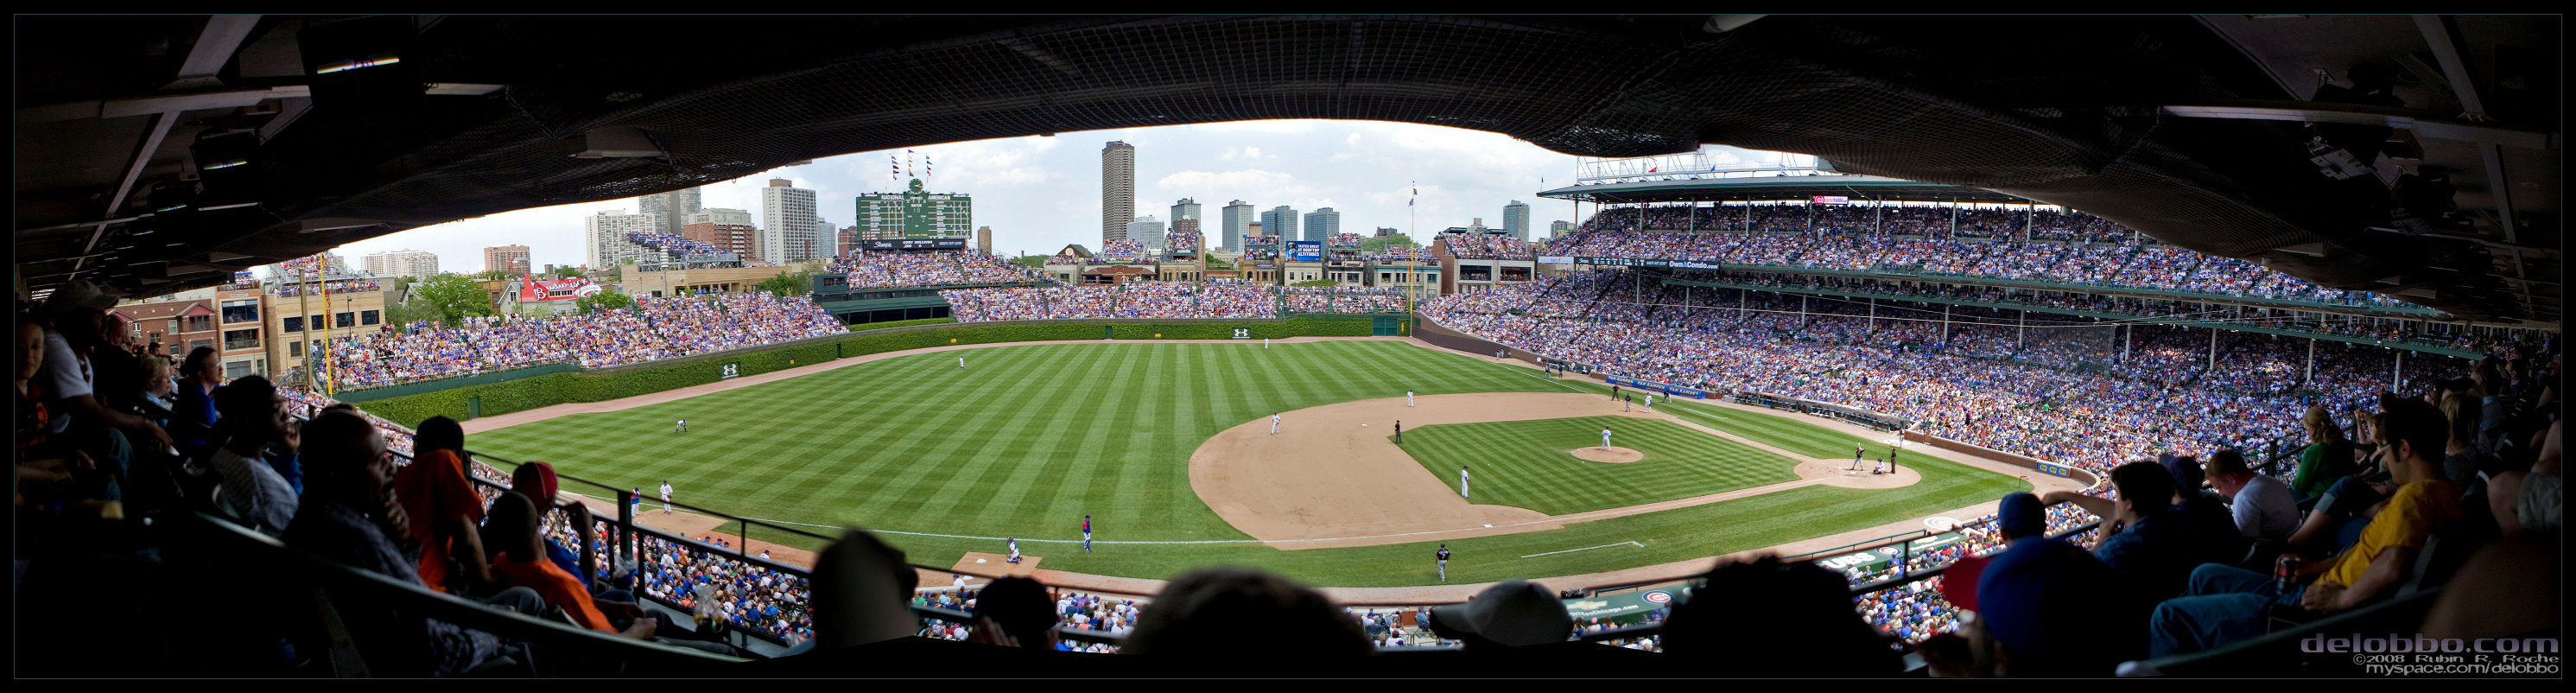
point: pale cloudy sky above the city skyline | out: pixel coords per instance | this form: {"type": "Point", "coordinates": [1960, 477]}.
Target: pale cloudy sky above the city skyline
{"type": "Point", "coordinates": [1045, 192]}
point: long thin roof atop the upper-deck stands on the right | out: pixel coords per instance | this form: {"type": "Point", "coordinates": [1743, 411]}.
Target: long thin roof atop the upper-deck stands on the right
{"type": "Point", "coordinates": [1776, 189]}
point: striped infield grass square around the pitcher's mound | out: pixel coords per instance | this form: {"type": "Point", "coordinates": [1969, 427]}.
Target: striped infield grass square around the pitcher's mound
{"type": "Point", "coordinates": [1526, 465]}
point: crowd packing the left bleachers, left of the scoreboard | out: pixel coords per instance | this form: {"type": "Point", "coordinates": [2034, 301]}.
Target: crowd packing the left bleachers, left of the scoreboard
{"type": "Point", "coordinates": [658, 328]}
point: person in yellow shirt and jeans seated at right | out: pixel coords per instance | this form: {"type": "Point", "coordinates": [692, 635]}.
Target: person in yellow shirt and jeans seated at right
{"type": "Point", "coordinates": [2230, 604]}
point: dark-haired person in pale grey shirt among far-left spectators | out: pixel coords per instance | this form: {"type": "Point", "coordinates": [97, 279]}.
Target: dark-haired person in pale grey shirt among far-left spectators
{"type": "Point", "coordinates": [256, 434]}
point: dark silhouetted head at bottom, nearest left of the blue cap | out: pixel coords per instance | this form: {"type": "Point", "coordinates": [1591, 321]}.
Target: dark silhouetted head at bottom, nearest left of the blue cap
{"type": "Point", "coordinates": [1776, 620]}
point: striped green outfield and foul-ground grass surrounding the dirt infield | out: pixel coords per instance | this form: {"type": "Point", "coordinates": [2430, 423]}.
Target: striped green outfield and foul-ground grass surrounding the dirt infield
{"type": "Point", "coordinates": [1034, 437]}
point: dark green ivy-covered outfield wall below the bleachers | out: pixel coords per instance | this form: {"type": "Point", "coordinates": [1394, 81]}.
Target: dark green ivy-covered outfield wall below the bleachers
{"type": "Point", "coordinates": [604, 385]}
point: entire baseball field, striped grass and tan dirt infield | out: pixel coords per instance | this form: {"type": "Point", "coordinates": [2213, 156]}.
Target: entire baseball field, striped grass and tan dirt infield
{"type": "Point", "coordinates": [1168, 450]}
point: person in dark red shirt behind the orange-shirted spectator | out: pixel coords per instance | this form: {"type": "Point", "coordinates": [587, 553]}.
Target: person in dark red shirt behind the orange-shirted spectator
{"type": "Point", "coordinates": [444, 511]}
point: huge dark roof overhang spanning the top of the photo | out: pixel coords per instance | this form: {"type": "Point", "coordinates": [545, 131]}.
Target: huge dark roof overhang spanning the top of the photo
{"type": "Point", "coordinates": [164, 153]}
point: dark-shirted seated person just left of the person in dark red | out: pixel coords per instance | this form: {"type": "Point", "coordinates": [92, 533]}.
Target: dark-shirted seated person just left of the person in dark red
{"type": "Point", "coordinates": [352, 517]}
